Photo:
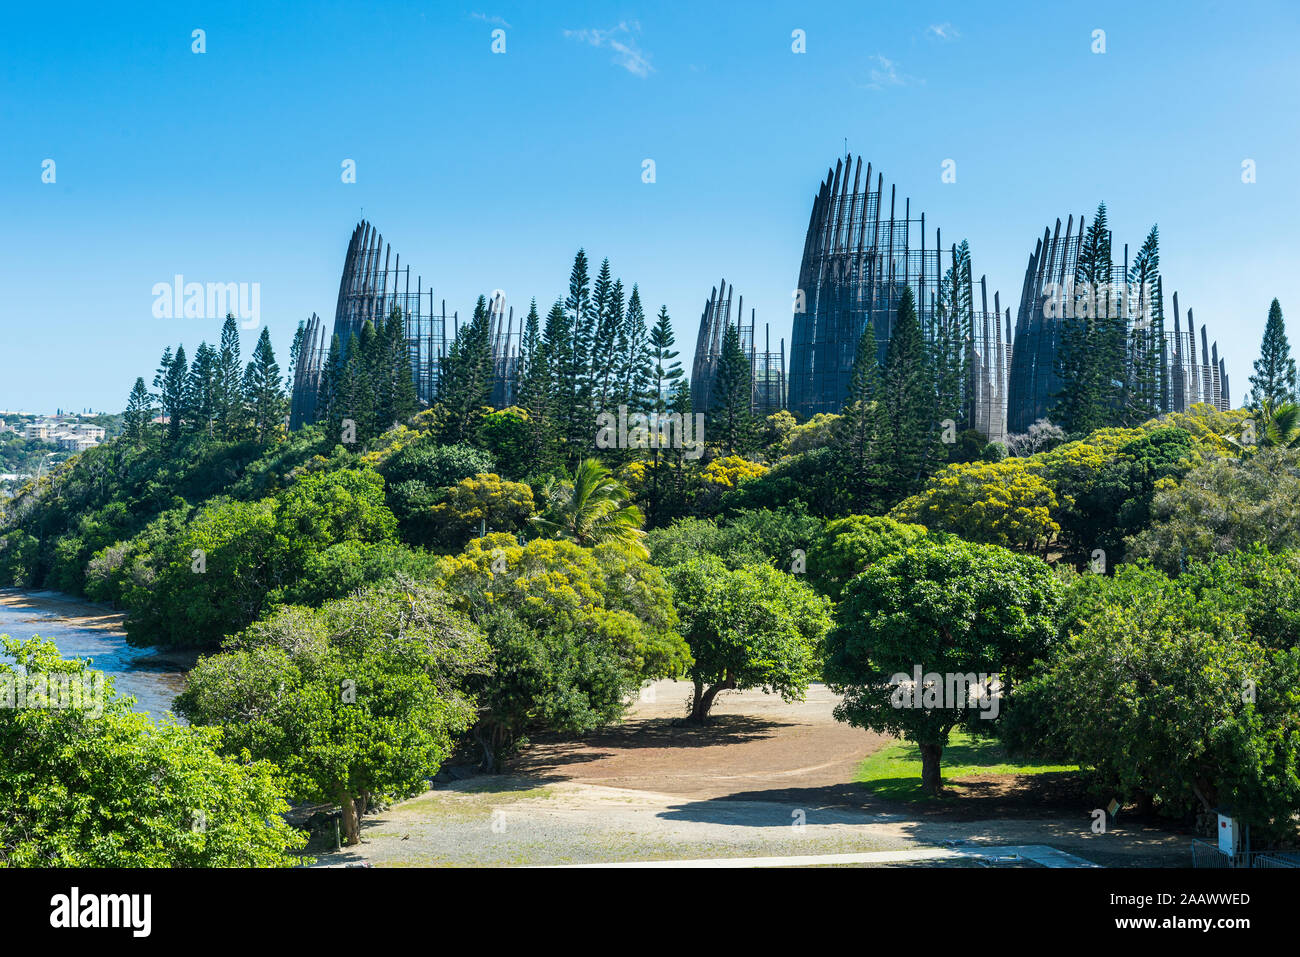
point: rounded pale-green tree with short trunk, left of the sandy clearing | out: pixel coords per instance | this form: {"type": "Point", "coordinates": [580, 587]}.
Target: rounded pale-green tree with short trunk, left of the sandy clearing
{"type": "Point", "coordinates": [361, 698]}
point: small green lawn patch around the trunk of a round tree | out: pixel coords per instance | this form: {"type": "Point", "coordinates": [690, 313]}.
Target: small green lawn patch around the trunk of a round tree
{"type": "Point", "coordinates": [895, 772]}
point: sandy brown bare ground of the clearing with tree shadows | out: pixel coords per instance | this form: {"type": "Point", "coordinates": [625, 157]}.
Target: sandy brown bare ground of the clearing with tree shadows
{"type": "Point", "coordinates": [766, 778]}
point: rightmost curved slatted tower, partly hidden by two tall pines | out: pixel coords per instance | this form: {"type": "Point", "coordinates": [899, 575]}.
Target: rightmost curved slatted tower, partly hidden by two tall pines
{"type": "Point", "coordinates": [1035, 382]}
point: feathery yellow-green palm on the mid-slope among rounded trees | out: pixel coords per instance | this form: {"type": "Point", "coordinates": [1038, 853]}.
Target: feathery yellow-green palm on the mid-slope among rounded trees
{"type": "Point", "coordinates": [595, 509]}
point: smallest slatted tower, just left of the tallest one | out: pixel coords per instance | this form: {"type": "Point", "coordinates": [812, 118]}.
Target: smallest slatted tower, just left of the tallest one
{"type": "Point", "coordinates": [768, 369]}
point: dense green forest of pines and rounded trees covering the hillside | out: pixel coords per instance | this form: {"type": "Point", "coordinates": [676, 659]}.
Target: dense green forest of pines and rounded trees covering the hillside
{"type": "Point", "coordinates": [465, 577]}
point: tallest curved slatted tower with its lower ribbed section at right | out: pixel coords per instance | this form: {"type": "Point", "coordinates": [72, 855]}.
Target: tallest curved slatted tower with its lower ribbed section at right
{"type": "Point", "coordinates": [860, 254]}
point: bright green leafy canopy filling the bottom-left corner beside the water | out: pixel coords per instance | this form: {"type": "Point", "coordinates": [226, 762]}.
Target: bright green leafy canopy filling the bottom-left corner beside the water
{"type": "Point", "coordinates": [102, 786]}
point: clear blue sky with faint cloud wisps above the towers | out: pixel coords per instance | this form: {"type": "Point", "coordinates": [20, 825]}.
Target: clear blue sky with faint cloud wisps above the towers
{"type": "Point", "coordinates": [488, 171]}
